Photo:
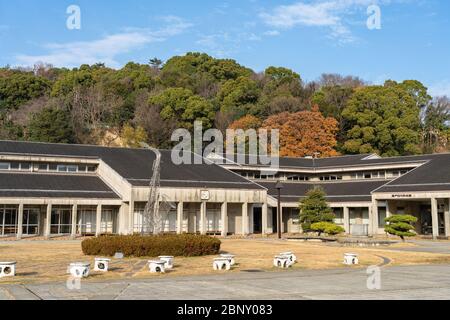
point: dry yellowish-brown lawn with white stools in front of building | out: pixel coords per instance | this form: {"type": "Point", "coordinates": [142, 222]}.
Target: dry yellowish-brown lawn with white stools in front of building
{"type": "Point", "coordinates": [48, 261]}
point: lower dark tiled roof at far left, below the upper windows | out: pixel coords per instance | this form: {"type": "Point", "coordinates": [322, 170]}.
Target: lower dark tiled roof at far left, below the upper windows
{"type": "Point", "coordinates": [54, 185]}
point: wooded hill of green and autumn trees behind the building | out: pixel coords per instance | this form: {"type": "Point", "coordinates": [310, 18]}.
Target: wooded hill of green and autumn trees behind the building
{"type": "Point", "coordinates": [333, 115]}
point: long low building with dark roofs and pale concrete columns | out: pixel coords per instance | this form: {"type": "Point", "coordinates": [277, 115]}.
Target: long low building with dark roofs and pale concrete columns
{"type": "Point", "coordinates": [56, 189]}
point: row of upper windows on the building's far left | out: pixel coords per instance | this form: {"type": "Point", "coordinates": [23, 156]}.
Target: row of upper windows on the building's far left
{"type": "Point", "coordinates": [49, 167]}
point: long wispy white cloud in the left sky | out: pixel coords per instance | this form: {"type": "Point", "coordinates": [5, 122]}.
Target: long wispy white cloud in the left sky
{"type": "Point", "coordinates": [105, 49]}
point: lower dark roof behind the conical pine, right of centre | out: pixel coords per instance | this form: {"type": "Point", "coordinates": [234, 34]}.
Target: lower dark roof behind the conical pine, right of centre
{"type": "Point", "coordinates": [336, 191]}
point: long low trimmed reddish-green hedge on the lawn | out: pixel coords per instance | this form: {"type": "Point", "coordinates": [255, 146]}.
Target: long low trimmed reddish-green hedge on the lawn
{"type": "Point", "coordinates": [186, 245]}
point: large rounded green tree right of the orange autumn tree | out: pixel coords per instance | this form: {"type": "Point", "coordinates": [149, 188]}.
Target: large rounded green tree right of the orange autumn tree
{"type": "Point", "coordinates": [383, 120]}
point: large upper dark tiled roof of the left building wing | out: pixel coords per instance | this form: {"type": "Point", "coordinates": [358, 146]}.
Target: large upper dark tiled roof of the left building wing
{"type": "Point", "coordinates": [135, 165]}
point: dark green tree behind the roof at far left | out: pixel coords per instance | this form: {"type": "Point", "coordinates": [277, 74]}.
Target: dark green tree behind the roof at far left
{"type": "Point", "coordinates": [51, 125]}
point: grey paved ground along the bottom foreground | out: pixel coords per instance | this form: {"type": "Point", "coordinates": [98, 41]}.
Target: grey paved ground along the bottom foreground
{"type": "Point", "coordinates": [406, 282]}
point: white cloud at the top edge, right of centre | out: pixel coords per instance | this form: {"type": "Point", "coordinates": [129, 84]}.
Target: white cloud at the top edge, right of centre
{"type": "Point", "coordinates": [329, 14]}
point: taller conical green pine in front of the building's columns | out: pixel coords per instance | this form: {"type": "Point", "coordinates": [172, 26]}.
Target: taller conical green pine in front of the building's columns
{"type": "Point", "coordinates": [314, 208]}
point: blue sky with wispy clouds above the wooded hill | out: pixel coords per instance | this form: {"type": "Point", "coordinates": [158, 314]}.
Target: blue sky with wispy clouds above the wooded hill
{"type": "Point", "coordinates": [309, 36]}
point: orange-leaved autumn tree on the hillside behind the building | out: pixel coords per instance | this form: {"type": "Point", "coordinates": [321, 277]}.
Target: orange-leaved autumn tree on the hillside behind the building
{"type": "Point", "coordinates": [304, 133]}
